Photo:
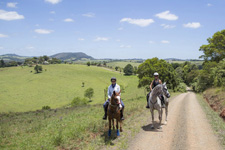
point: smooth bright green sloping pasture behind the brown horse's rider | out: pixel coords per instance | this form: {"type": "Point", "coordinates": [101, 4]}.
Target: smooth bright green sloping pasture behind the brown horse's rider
{"type": "Point", "coordinates": [22, 90]}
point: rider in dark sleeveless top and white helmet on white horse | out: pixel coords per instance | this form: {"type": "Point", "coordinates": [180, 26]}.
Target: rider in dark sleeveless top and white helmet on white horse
{"type": "Point", "coordinates": [153, 84]}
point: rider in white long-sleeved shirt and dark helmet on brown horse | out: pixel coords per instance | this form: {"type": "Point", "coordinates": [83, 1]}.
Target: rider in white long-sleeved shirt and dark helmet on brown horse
{"type": "Point", "coordinates": [113, 87]}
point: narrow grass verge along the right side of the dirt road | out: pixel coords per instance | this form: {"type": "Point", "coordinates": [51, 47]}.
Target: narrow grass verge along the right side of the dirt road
{"type": "Point", "coordinates": [216, 122]}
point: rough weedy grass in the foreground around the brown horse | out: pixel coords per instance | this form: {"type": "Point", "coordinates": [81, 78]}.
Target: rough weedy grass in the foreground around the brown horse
{"type": "Point", "coordinates": [69, 128]}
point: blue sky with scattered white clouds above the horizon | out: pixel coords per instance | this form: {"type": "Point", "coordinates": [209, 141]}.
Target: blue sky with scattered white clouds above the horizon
{"type": "Point", "coordinates": [109, 29]}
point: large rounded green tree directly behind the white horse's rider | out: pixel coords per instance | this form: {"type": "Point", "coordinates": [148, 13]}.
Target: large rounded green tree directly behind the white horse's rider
{"type": "Point", "coordinates": [166, 73]}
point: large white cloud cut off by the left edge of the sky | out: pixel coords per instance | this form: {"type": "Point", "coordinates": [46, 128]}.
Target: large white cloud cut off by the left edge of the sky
{"type": "Point", "coordinates": [10, 15]}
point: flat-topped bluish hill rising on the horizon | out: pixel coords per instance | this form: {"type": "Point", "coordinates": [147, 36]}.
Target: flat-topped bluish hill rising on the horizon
{"type": "Point", "coordinates": [71, 56]}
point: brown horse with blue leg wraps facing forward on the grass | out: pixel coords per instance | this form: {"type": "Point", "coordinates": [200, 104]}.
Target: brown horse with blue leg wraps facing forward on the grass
{"type": "Point", "coordinates": [113, 112]}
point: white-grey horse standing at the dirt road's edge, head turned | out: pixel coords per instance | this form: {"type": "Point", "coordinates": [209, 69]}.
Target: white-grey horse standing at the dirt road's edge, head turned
{"type": "Point", "coordinates": [155, 102]}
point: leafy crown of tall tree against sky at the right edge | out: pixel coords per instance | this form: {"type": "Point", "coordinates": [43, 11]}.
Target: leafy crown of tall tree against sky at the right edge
{"type": "Point", "coordinates": [215, 50]}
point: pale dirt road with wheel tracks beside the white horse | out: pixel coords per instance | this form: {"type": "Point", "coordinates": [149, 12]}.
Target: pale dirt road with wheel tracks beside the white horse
{"type": "Point", "coordinates": [187, 129]}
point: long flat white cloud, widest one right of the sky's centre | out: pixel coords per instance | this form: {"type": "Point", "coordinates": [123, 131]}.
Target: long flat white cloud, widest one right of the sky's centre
{"type": "Point", "coordinates": [139, 22]}
